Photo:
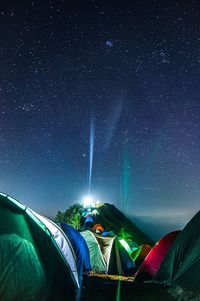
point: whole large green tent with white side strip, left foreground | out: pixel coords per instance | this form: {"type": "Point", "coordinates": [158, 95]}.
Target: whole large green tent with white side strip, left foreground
{"type": "Point", "coordinates": [37, 261]}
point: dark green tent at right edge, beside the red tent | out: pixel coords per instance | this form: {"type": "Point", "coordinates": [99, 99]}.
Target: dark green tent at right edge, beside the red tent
{"type": "Point", "coordinates": [181, 266]}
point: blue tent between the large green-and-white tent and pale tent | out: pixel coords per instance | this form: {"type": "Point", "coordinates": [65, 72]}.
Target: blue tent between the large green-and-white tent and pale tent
{"type": "Point", "coordinates": [80, 248]}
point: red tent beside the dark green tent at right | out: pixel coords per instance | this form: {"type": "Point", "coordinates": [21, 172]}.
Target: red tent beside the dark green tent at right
{"type": "Point", "coordinates": [155, 257]}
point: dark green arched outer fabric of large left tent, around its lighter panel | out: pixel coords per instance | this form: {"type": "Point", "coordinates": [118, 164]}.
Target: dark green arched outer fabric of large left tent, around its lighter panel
{"type": "Point", "coordinates": [18, 219]}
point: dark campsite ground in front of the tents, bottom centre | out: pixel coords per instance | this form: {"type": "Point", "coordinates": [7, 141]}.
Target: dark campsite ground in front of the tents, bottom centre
{"type": "Point", "coordinates": [98, 288]}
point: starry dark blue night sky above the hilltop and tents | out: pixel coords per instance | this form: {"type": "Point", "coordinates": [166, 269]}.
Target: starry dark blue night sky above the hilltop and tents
{"type": "Point", "coordinates": [127, 72]}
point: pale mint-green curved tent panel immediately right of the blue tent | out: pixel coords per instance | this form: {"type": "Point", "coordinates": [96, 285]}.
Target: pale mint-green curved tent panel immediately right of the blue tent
{"type": "Point", "coordinates": [96, 258]}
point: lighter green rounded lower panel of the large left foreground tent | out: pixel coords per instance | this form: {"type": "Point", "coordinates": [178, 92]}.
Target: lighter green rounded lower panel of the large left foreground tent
{"type": "Point", "coordinates": [22, 275]}
